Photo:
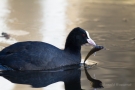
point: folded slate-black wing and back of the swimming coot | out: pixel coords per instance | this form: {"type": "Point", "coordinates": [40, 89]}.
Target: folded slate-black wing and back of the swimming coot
{"type": "Point", "coordinates": [28, 54]}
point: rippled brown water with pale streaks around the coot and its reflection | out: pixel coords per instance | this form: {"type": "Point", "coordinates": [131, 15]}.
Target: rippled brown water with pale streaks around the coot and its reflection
{"type": "Point", "coordinates": [111, 23]}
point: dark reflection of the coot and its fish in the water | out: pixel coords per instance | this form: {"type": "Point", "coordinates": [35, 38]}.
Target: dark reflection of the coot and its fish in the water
{"type": "Point", "coordinates": [38, 79]}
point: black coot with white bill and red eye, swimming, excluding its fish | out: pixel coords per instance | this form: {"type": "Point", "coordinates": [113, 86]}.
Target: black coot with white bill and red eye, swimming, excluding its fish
{"type": "Point", "coordinates": [36, 55]}
